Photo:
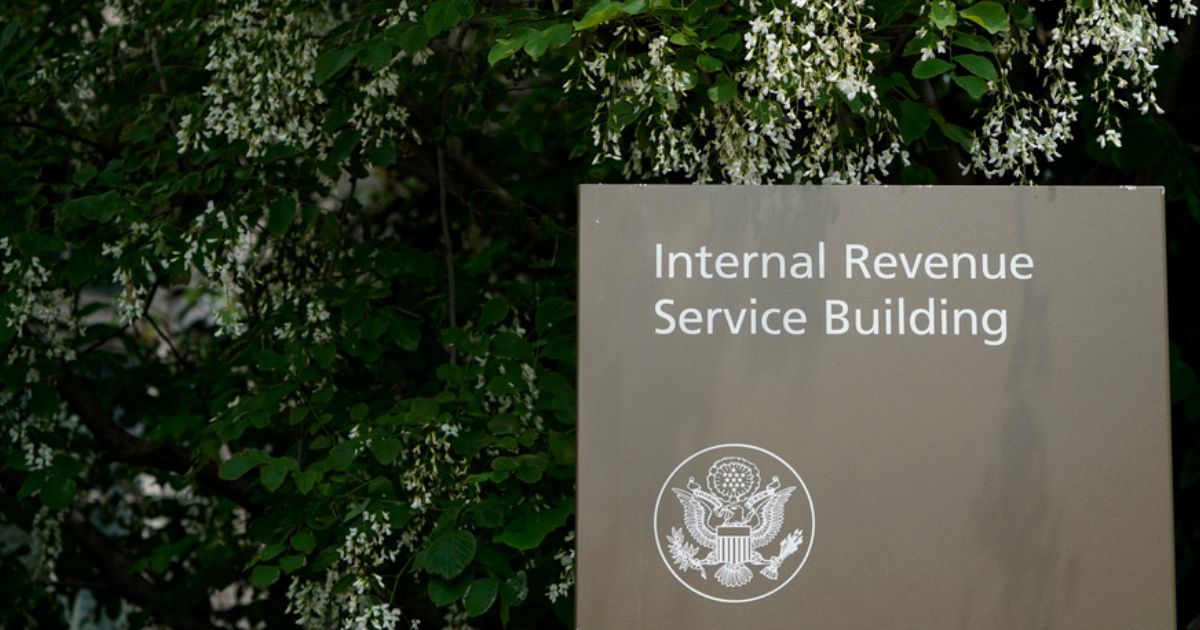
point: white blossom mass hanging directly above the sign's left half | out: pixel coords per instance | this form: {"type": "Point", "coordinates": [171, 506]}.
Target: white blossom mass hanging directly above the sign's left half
{"type": "Point", "coordinates": [806, 69]}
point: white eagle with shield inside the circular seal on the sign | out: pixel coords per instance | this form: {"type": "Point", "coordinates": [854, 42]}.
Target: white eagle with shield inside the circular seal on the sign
{"type": "Point", "coordinates": [733, 519]}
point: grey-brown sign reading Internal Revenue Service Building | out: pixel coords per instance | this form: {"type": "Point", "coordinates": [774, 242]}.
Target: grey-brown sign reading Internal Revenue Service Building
{"type": "Point", "coordinates": [873, 407]}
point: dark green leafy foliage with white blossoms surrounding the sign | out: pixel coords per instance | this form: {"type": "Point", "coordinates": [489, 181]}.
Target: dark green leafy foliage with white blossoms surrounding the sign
{"type": "Point", "coordinates": [287, 287]}
